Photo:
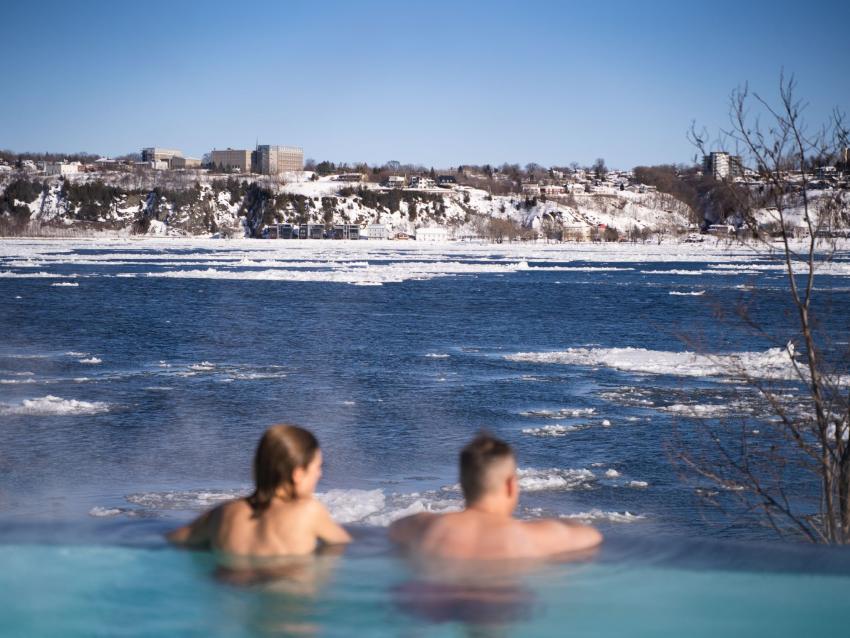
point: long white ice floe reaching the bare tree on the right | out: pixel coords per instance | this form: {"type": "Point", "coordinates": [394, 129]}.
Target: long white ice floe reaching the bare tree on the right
{"type": "Point", "coordinates": [774, 363]}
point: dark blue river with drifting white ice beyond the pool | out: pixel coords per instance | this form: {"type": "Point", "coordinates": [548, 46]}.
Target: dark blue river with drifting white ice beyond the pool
{"type": "Point", "coordinates": [136, 376]}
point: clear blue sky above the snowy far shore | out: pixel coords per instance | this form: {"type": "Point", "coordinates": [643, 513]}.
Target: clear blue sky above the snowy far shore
{"type": "Point", "coordinates": [437, 83]}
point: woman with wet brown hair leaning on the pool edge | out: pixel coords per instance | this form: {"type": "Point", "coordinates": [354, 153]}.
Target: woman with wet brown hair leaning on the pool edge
{"type": "Point", "coordinates": [281, 517]}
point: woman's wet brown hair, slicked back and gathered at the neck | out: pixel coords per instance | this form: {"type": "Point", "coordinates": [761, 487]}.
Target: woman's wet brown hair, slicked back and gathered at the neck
{"type": "Point", "coordinates": [282, 449]}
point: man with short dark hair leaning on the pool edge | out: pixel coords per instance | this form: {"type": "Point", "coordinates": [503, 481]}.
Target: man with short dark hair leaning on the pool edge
{"type": "Point", "coordinates": [486, 528]}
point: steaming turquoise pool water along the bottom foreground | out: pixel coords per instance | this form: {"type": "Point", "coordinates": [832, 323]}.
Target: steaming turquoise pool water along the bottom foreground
{"type": "Point", "coordinates": [667, 588]}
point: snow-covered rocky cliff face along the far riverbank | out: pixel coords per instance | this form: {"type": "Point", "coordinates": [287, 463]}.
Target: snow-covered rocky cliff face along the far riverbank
{"type": "Point", "coordinates": [241, 207]}
